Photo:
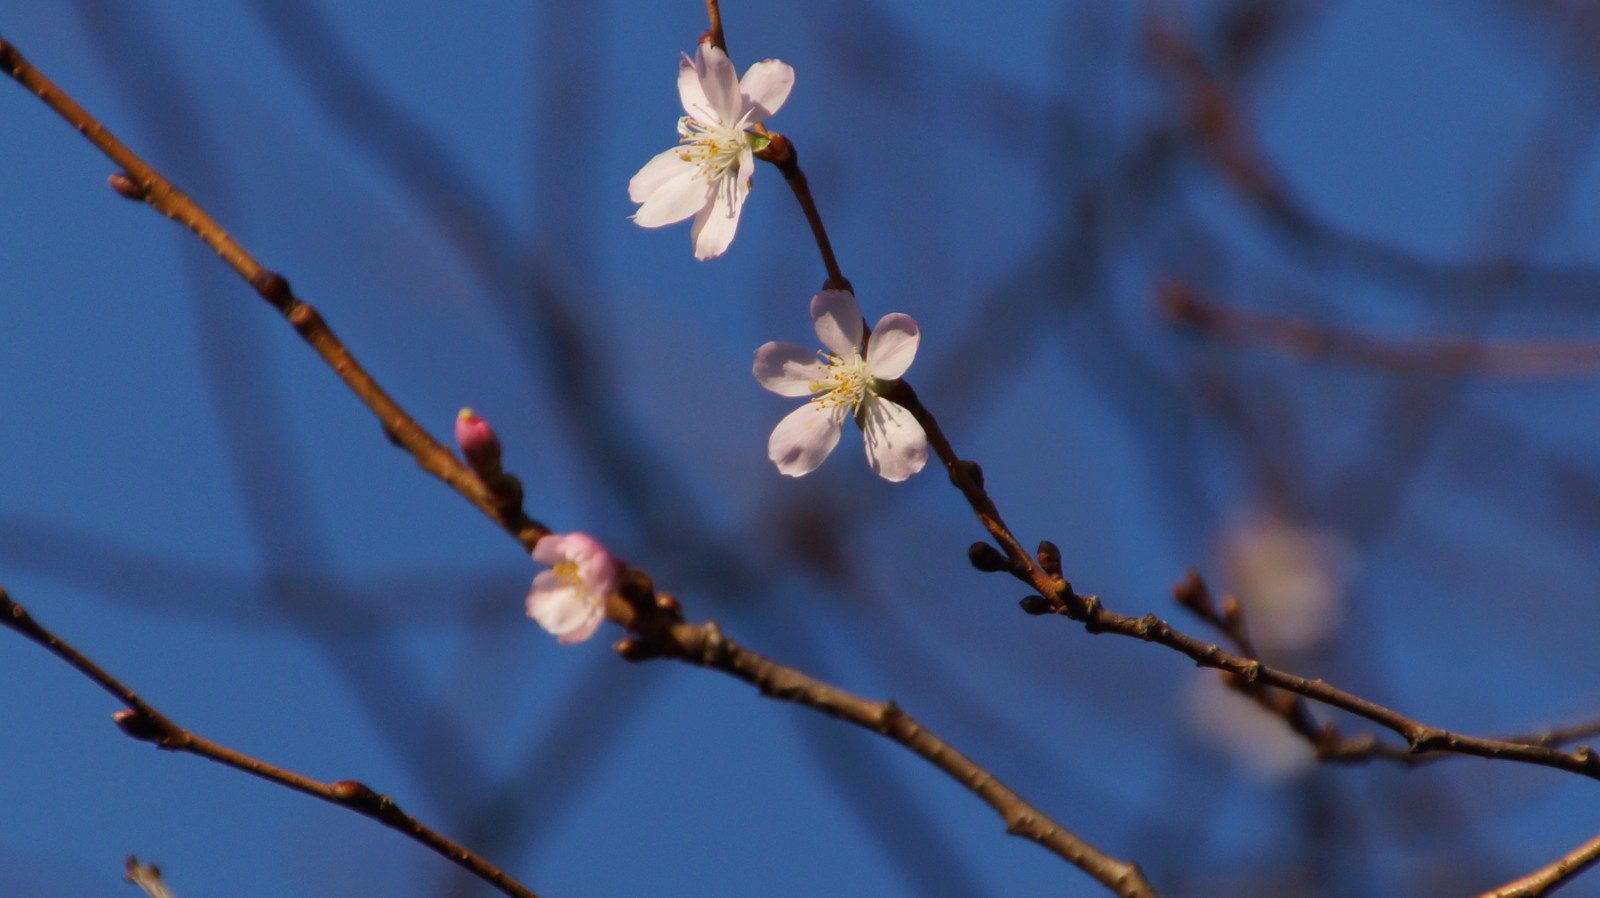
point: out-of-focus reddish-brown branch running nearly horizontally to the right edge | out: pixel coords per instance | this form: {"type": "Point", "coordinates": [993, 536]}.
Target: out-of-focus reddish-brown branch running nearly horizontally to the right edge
{"type": "Point", "coordinates": [1446, 356]}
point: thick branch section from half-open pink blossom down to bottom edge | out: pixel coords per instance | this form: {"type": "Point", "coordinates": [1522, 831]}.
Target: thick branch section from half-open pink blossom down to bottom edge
{"type": "Point", "coordinates": [662, 633]}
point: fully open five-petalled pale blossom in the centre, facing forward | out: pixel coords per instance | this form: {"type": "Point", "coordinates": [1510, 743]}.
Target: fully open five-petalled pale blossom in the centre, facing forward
{"type": "Point", "coordinates": [844, 383]}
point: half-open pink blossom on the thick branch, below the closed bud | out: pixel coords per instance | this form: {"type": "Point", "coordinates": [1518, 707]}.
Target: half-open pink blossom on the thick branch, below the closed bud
{"type": "Point", "coordinates": [569, 601]}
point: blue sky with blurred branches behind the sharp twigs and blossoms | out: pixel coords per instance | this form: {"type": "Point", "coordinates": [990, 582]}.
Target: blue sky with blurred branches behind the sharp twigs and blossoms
{"type": "Point", "coordinates": [193, 499]}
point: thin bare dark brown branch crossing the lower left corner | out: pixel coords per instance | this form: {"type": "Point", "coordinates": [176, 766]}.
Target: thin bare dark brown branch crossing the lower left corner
{"type": "Point", "coordinates": [145, 723]}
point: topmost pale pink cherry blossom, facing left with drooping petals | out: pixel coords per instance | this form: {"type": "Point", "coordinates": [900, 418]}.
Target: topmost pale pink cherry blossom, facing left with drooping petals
{"type": "Point", "coordinates": [708, 175]}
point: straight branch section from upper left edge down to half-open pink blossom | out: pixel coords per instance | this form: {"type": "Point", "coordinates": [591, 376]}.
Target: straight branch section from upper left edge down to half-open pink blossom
{"type": "Point", "coordinates": [138, 180]}
